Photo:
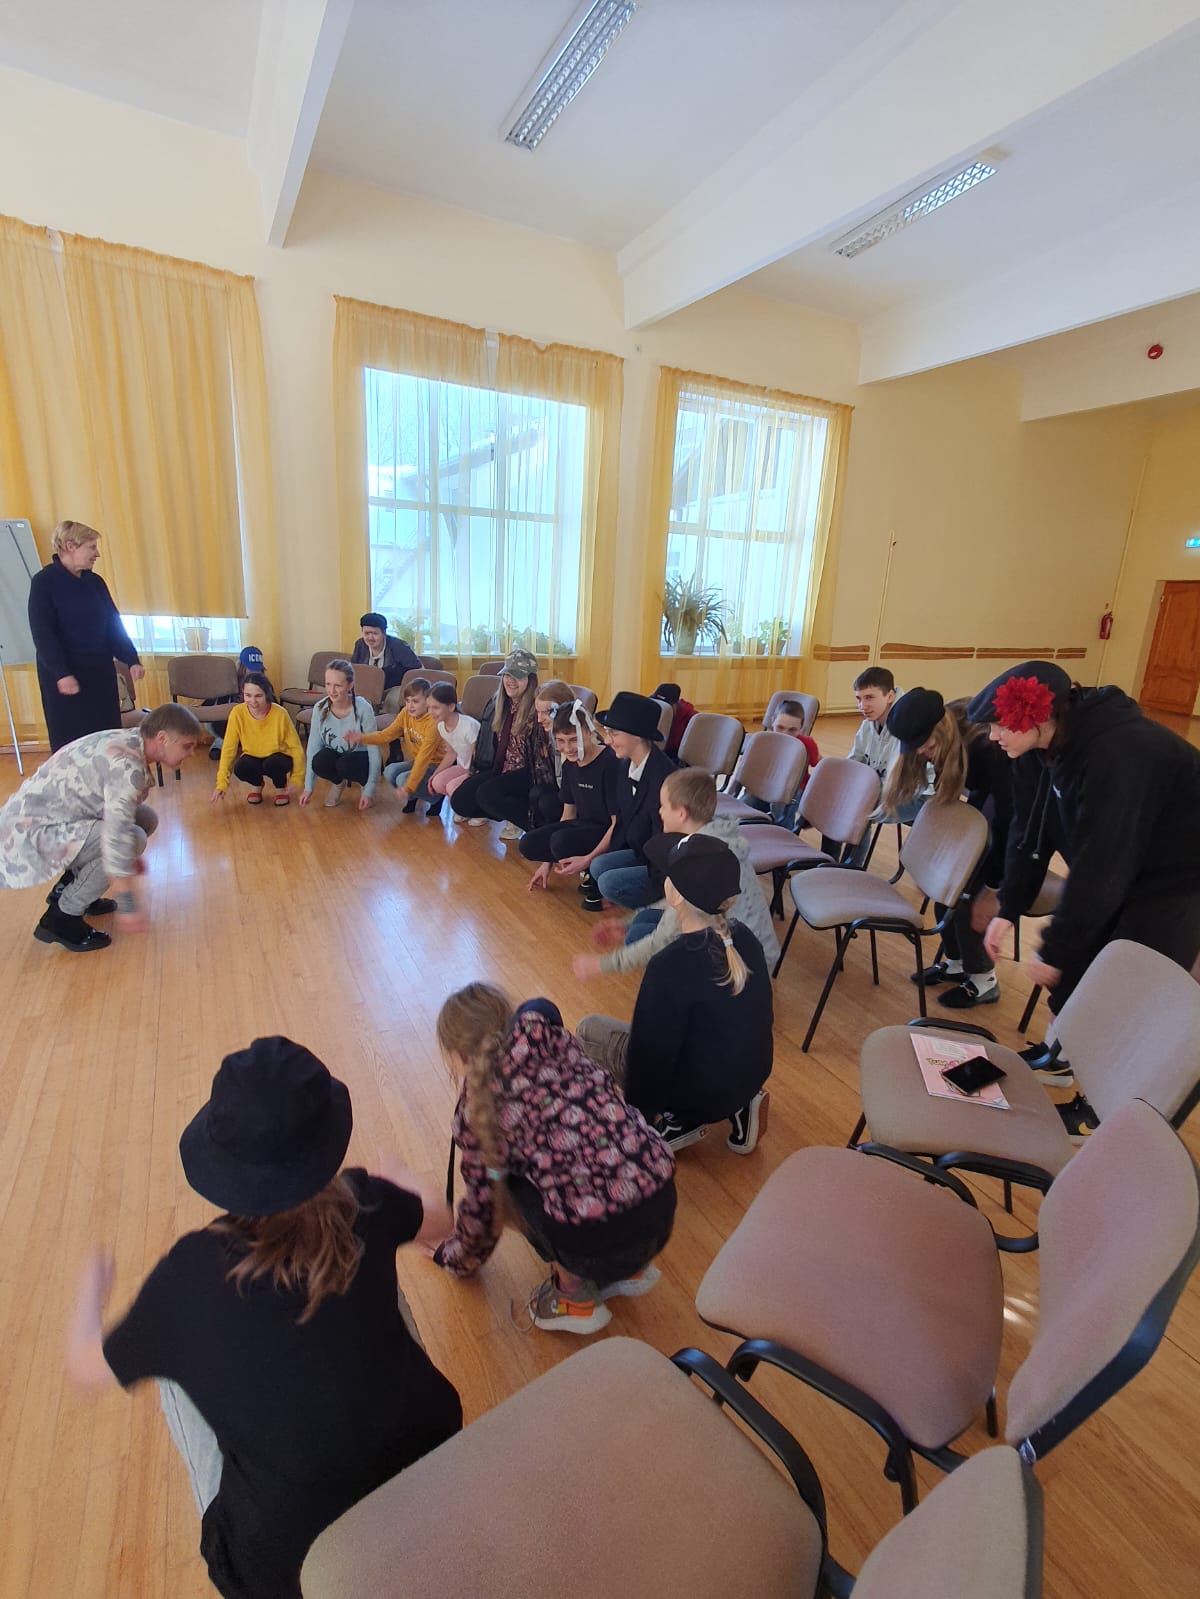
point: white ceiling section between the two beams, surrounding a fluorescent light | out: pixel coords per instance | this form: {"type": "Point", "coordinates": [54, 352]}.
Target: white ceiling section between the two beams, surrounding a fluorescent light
{"type": "Point", "coordinates": [423, 89]}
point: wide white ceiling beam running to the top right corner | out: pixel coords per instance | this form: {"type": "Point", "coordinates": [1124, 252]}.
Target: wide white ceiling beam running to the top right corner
{"type": "Point", "coordinates": [953, 84]}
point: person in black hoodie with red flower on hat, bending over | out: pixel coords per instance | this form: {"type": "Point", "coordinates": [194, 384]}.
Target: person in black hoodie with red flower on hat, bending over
{"type": "Point", "coordinates": [1119, 797]}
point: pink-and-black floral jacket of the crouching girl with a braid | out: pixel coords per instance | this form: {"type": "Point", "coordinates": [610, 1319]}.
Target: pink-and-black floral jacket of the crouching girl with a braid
{"type": "Point", "coordinates": [564, 1128]}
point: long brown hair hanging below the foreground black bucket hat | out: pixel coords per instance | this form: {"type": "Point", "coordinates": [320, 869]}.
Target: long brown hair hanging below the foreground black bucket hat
{"type": "Point", "coordinates": [313, 1246]}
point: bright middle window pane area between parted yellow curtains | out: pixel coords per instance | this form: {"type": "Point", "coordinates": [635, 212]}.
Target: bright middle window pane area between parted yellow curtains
{"type": "Point", "coordinates": [474, 514]}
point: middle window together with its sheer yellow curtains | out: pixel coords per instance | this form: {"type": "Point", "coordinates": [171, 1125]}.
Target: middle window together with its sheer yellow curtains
{"type": "Point", "coordinates": [524, 439]}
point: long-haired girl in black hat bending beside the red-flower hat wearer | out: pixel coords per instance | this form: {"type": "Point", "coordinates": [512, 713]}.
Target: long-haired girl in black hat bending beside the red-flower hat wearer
{"type": "Point", "coordinates": [935, 735]}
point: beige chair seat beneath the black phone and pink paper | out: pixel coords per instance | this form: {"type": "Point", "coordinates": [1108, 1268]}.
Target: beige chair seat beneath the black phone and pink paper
{"type": "Point", "coordinates": [902, 1114]}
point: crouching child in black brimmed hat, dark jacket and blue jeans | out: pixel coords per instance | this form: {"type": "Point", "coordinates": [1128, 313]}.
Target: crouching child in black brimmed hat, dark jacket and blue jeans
{"type": "Point", "coordinates": [623, 875]}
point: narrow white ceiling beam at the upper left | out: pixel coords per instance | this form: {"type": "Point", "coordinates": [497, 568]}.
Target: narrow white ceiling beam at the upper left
{"type": "Point", "coordinates": [300, 42]}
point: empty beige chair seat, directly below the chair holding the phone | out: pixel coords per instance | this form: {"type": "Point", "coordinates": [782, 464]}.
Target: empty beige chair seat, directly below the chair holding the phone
{"type": "Point", "coordinates": [826, 1262]}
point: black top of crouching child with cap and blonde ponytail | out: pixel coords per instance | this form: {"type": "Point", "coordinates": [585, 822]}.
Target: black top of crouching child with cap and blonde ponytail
{"type": "Point", "coordinates": [697, 1048]}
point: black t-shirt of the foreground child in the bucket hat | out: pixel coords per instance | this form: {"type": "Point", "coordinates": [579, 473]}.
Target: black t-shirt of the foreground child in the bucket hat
{"type": "Point", "coordinates": [310, 1419]}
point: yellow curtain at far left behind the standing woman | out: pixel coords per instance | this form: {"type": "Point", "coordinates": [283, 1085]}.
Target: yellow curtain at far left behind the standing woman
{"type": "Point", "coordinates": [134, 397]}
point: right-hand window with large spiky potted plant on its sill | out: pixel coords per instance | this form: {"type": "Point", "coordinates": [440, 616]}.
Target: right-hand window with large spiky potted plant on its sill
{"type": "Point", "coordinates": [745, 517]}
